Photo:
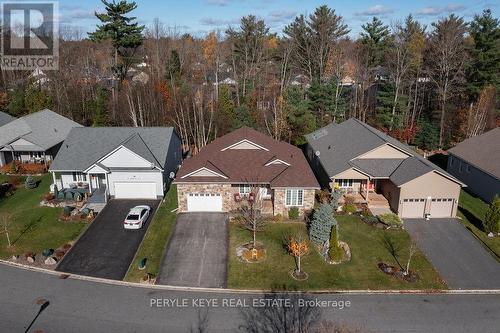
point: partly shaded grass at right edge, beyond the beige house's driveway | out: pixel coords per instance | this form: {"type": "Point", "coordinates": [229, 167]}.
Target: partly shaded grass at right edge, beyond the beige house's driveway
{"type": "Point", "coordinates": [472, 209]}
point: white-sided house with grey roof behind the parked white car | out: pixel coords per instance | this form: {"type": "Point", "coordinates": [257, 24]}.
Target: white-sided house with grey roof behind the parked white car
{"type": "Point", "coordinates": [118, 162]}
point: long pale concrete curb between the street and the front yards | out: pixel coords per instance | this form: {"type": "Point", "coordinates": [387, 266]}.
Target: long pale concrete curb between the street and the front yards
{"type": "Point", "coordinates": [250, 291]}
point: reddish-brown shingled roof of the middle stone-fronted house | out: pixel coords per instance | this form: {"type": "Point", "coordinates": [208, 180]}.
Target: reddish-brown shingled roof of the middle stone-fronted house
{"type": "Point", "coordinates": [249, 165]}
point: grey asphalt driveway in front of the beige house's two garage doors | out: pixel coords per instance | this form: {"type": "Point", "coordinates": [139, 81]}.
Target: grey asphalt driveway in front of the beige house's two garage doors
{"type": "Point", "coordinates": [458, 257]}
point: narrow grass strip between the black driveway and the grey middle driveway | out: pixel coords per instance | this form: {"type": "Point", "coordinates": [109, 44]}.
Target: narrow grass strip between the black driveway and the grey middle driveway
{"type": "Point", "coordinates": [156, 238]}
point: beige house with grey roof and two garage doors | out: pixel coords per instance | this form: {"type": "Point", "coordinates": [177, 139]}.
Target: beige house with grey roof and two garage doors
{"type": "Point", "coordinates": [377, 169]}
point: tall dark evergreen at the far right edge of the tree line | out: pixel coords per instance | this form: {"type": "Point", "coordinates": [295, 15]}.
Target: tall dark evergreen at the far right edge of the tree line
{"type": "Point", "coordinates": [484, 68]}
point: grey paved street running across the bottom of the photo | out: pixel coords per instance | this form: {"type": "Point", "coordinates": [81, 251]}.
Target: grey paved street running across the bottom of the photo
{"type": "Point", "coordinates": [83, 306]}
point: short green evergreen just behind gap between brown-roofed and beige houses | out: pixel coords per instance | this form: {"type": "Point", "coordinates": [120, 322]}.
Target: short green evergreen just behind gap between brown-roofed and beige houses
{"type": "Point", "coordinates": [300, 118]}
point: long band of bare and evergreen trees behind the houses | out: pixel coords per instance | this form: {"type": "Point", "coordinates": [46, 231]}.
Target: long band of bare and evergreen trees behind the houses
{"type": "Point", "coordinates": [430, 86]}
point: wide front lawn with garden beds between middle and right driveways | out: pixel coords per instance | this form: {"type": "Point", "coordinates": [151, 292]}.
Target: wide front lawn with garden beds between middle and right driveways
{"type": "Point", "coordinates": [360, 273]}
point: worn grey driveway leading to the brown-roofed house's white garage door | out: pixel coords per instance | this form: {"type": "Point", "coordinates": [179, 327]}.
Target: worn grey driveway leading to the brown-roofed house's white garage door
{"type": "Point", "coordinates": [197, 252]}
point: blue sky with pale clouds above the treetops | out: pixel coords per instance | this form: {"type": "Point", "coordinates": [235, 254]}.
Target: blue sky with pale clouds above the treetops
{"type": "Point", "coordinates": [201, 16]}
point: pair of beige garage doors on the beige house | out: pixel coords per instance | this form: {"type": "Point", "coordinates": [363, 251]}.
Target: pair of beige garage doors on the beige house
{"type": "Point", "coordinates": [416, 207]}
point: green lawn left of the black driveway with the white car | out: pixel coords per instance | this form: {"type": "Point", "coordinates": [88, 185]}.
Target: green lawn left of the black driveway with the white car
{"type": "Point", "coordinates": [34, 228]}
